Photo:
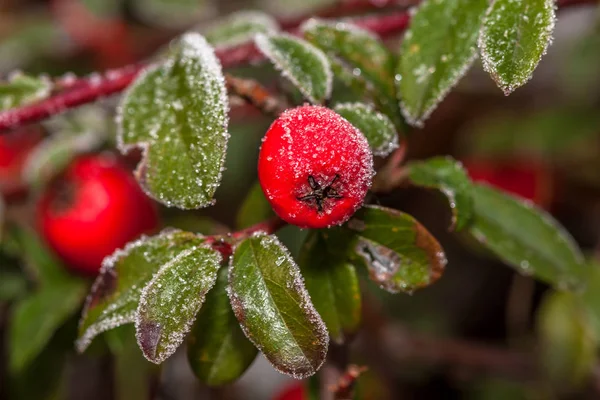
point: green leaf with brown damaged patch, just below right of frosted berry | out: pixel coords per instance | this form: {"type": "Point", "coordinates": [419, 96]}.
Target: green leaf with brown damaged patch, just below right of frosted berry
{"type": "Point", "coordinates": [400, 254]}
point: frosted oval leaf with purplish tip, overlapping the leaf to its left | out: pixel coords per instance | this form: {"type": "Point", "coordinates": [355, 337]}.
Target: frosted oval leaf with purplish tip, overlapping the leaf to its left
{"type": "Point", "coordinates": [170, 301]}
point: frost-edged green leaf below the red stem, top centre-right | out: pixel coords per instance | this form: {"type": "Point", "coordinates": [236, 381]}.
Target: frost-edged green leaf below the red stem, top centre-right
{"type": "Point", "coordinates": [357, 53]}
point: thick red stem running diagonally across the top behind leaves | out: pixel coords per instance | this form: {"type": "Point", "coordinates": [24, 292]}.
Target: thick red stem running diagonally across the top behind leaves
{"type": "Point", "coordinates": [86, 90]}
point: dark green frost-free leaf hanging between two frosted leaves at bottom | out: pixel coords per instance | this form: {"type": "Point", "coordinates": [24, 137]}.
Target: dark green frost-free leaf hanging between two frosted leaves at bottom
{"type": "Point", "coordinates": [218, 351]}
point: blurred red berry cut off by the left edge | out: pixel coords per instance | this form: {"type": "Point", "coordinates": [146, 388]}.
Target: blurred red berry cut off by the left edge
{"type": "Point", "coordinates": [15, 147]}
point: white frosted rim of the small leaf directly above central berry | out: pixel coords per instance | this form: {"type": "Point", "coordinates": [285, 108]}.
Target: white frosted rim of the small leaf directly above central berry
{"type": "Point", "coordinates": [265, 44]}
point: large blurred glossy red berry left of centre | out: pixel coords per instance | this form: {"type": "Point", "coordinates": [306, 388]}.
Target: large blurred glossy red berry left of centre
{"type": "Point", "coordinates": [95, 208]}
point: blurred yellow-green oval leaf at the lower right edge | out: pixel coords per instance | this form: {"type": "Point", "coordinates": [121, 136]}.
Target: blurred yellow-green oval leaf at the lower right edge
{"type": "Point", "coordinates": [568, 342]}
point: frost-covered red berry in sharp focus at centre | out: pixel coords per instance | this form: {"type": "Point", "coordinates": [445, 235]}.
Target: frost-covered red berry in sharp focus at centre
{"type": "Point", "coordinates": [314, 167]}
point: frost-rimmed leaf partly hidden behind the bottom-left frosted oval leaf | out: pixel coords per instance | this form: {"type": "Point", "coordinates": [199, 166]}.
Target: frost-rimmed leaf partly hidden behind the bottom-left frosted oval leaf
{"type": "Point", "coordinates": [88, 331]}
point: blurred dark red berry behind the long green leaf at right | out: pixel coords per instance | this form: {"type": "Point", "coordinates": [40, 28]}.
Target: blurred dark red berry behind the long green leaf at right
{"type": "Point", "coordinates": [526, 179]}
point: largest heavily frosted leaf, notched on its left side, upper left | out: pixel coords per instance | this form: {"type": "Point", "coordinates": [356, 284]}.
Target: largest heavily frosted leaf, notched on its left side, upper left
{"type": "Point", "coordinates": [207, 61]}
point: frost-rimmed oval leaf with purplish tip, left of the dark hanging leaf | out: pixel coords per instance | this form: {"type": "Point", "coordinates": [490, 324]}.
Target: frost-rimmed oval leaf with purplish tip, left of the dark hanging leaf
{"type": "Point", "coordinates": [173, 338]}
